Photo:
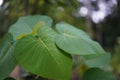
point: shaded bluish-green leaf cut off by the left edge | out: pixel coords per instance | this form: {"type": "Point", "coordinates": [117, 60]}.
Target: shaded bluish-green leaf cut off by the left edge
{"type": "Point", "coordinates": [7, 61]}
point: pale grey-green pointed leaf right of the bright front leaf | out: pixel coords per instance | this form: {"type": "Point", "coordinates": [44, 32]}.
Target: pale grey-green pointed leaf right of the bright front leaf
{"type": "Point", "coordinates": [75, 41]}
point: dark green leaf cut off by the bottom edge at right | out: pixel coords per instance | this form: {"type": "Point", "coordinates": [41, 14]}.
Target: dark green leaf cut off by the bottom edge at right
{"type": "Point", "coordinates": [97, 74]}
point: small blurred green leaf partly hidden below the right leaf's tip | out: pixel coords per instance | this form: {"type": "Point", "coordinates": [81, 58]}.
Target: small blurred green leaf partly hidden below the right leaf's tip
{"type": "Point", "coordinates": [100, 60]}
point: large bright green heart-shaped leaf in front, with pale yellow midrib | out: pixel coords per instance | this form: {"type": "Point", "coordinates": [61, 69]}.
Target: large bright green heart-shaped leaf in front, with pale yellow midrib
{"type": "Point", "coordinates": [39, 55]}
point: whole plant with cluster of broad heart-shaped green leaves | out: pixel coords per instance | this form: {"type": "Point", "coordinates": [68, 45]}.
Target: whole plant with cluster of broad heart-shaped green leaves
{"type": "Point", "coordinates": [47, 51]}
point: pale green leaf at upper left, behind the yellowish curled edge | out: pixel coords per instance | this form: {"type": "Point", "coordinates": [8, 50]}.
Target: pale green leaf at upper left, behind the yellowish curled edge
{"type": "Point", "coordinates": [25, 25]}
